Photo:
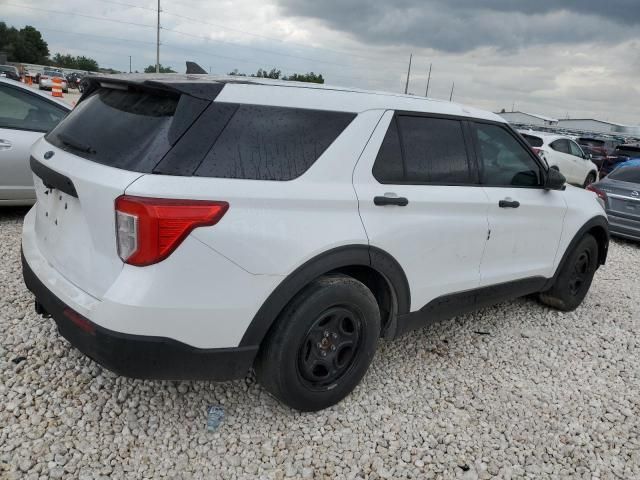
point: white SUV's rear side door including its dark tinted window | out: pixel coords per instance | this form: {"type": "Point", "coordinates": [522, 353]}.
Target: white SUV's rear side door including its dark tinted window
{"type": "Point", "coordinates": [420, 201]}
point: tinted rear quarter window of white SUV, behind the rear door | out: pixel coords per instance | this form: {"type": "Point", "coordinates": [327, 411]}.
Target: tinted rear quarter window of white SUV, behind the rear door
{"type": "Point", "coordinates": [272, 143]}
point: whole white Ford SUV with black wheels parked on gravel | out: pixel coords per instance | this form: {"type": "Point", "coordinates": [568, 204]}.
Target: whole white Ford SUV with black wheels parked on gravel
{"type": "Point", "coordinates": [190, 227]}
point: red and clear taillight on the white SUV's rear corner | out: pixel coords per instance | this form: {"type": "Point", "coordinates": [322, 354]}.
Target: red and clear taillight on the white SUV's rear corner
{"type": "Point", "coordinates": [148, 230]}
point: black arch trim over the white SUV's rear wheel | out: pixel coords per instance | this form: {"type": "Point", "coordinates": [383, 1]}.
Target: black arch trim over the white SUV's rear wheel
{"type": "Point", "coordinates": [340, 257]}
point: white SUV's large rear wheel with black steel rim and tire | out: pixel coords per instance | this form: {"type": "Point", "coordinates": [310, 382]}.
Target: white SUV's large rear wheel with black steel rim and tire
{"type": "Point", "coordinates": [321, 345]}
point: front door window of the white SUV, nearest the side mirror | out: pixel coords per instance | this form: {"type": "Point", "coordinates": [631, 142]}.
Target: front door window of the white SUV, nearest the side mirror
{"type": "Point", "coordinates": [505, 162]}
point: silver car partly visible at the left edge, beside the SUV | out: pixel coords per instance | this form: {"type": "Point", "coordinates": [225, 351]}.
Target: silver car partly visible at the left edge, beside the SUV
{"type": "Point", "coordinates": [25, 115]}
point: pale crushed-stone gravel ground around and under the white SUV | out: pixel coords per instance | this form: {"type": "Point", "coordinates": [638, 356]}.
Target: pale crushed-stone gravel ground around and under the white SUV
{"type": "Point", "coordinates": [514, 391]}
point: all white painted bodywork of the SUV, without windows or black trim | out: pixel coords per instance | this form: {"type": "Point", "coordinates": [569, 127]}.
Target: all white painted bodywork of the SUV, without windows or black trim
{"type": "Point", "coordinates": [207, 292]}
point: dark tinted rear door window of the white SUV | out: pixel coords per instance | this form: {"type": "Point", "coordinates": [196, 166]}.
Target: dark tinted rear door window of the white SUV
{"type": "Point", "coordinates": [433, 148]}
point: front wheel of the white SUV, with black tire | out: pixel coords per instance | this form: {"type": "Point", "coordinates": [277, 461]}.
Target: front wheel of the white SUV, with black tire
{"type": "Point", "coordinates": [574, 280]}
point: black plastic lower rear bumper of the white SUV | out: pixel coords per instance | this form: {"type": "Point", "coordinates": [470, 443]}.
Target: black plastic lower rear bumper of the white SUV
{"type": "Point", "coordinates": [139, 356]}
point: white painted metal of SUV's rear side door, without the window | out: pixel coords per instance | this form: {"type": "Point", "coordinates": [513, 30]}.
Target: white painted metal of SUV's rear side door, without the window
{"type": "Point", "coordinates": [438, 238]}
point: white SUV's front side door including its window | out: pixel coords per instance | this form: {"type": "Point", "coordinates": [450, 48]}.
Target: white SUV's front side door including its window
{"type": "Point", "coordinates": [525, 220]}
